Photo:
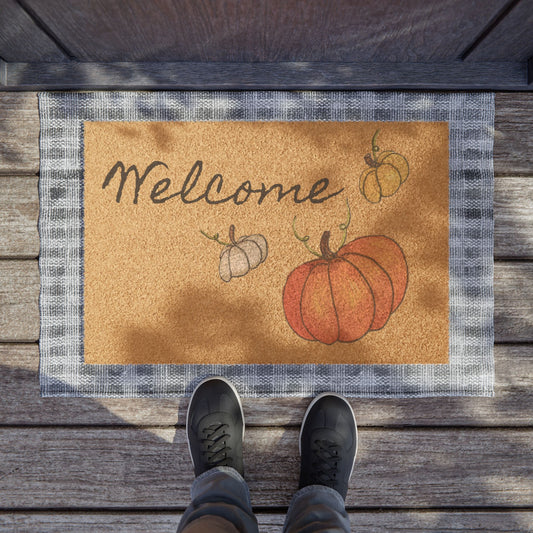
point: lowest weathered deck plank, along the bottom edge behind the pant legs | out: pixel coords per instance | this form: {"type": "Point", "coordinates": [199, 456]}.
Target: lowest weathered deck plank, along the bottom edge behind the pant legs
{"type": "Point", "coordinates": [444, 521]}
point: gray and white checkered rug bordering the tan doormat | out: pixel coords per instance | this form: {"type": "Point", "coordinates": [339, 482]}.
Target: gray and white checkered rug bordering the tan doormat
{"type": "Point", "coordinates": [471, 368]}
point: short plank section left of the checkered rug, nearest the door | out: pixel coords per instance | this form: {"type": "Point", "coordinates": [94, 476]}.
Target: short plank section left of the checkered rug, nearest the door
{"type": "Point", "coordinates": [19, 133]}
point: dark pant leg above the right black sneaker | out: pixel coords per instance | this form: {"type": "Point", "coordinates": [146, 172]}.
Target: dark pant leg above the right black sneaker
{"type": "Point", "coordinates": [317, 509]}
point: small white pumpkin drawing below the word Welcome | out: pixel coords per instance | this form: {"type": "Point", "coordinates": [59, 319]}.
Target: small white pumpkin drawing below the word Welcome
{"type": "Point", "coordinates": [240, 256]}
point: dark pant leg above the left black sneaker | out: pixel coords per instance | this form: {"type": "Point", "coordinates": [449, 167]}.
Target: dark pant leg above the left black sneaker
{"type": "Point", "coordinates": [220, 503]}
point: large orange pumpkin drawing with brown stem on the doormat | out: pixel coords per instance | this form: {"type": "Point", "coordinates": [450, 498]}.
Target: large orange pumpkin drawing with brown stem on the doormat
{"type": "Point", "coordinates": [343, 295]}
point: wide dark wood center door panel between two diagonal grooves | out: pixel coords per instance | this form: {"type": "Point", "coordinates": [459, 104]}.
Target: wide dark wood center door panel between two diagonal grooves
{"type": "Point", "coordinates": [248, 30]}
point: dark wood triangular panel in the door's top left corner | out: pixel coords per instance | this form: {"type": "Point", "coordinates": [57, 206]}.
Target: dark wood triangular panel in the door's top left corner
{"type": "Point", "coordinates": [21, 39]}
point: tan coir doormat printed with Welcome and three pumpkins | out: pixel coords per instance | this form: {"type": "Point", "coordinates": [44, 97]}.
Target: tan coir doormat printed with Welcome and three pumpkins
{"type": "Point", "coordinates": [153, 286]}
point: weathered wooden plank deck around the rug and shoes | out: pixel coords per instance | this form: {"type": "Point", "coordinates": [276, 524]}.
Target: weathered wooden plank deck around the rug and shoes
{"type": "Point", "coordinates": [432, 465]}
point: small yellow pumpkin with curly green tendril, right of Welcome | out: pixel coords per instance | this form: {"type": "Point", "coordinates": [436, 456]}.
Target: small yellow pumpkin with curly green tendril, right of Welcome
{"type": "Point", "coordinates": [387, 171]}
